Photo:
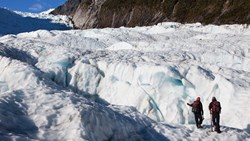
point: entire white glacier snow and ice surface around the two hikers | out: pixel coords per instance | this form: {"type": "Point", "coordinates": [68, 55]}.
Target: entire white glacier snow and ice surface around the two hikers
{"type": "Point", "coordinates": [120, 84]}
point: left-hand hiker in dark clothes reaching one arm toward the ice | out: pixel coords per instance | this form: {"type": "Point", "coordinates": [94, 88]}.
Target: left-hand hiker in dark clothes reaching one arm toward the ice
{"type": "Point", "coordinates": [198, 111]}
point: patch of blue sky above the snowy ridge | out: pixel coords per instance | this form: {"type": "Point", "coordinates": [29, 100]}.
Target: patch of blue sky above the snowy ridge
{"type": "Point", "coordinates": [33, 6]}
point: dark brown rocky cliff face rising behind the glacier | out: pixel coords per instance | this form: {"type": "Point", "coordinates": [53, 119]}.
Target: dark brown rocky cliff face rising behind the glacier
{"type": "Point", "coordinates": [116, 13]}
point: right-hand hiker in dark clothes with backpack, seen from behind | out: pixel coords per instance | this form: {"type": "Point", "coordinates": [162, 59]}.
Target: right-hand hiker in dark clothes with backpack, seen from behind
{"type": "Point", "coordinates": [215, 109]}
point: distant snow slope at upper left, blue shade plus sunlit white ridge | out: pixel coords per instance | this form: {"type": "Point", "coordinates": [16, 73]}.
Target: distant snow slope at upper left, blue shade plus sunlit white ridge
{"type": "Point", "coordinates": [17, 22]}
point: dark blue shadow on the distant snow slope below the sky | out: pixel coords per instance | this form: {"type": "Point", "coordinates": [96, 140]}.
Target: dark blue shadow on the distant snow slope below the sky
{"type": "Point", "coordinates": [13, 23]}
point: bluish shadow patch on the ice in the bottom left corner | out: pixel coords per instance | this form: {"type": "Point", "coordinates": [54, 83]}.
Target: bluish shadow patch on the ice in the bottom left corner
{"type": "Point", "coordinates": [14, 118]}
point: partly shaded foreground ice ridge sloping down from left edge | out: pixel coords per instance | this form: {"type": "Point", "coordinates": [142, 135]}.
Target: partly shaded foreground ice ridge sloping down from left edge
{"type": "Point", "coordinates": [33, 107]}
